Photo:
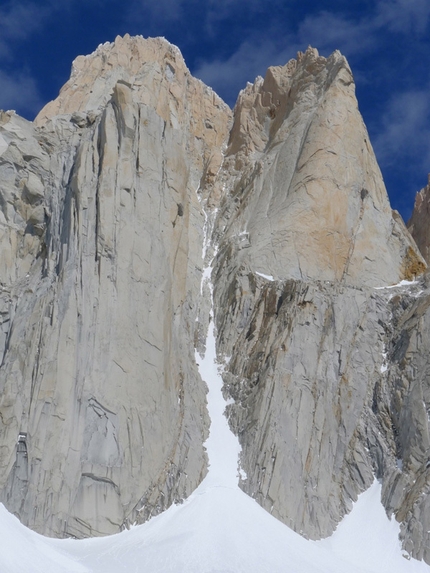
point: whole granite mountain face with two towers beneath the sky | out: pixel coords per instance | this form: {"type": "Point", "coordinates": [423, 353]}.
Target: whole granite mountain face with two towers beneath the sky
{"type": "Point", "coordinates": [320, 299]}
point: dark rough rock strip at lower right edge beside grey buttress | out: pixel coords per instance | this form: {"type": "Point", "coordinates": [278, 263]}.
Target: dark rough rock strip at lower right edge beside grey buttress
{"type": "Point", "coordinates": [402, 408]}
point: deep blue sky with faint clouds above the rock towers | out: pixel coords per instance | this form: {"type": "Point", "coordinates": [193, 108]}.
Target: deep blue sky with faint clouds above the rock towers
{"type": "Point", "coordinates": [229, 42]}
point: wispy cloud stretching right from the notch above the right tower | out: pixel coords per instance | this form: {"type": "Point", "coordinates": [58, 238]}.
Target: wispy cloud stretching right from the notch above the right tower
{"type": "Point", "coordinates": [326, 30]}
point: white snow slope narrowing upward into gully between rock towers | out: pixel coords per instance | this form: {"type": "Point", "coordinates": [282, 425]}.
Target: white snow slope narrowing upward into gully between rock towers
{"type": "Point", "coordinates": [218, 529]}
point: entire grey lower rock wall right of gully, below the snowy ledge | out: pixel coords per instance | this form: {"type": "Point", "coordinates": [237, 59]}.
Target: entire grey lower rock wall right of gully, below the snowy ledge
{"type": "Point", "coordinates": [327, 396]}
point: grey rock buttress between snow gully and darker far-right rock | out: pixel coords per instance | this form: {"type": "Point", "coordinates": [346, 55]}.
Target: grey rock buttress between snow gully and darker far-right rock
{"type": "Point", "coordinates": [309, 357]}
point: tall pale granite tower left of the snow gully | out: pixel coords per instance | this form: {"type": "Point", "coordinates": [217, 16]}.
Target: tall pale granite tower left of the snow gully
{"type": "Point", "coordinates": [101, 256]}
